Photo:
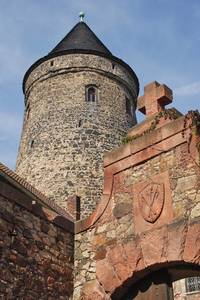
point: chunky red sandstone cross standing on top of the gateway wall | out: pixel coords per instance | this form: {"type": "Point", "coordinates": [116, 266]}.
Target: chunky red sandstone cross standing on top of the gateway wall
{"type": "Point", "coordinates": [156, 97]}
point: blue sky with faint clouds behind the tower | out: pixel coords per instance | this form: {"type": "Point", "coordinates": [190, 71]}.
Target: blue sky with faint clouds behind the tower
{"type": "Point", "coordinates": [159, 39]}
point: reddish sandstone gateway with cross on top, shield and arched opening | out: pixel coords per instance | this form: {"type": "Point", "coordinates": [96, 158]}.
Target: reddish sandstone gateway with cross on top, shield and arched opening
{"type": "Point", "coordinates": [145, 232]}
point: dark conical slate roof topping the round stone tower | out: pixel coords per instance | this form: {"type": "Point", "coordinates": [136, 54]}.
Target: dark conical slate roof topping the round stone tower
{"type": "Point", "coordinates": [81, 37]}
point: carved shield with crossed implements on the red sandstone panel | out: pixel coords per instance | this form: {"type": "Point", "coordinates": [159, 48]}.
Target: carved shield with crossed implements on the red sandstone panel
{"type": "Point", "coordinates": [151, 201]}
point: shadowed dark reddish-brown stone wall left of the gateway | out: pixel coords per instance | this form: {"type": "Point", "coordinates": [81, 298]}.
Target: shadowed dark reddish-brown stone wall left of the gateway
{"type": "Point", "coordinates": [36, 255]}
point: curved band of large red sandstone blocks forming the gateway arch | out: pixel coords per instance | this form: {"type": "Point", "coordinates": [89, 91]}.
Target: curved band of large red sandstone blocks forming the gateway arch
{"type": "Point", "coordinates": [176, 243]}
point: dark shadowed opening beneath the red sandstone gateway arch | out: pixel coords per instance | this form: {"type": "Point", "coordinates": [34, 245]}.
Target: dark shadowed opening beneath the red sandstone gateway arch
{"type": "Point", "coordinates": [155, 283]}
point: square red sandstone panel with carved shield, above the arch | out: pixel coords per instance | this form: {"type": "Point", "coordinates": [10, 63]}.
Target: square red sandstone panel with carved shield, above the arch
{"type": "Point", "coordinates": [152, 202]}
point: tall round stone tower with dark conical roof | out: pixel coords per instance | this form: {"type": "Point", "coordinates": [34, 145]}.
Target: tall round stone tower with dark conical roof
{"type": "Point", "coordinates": [79, 103]}
